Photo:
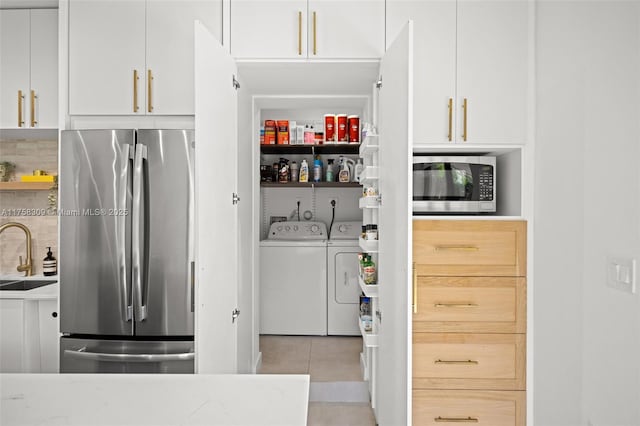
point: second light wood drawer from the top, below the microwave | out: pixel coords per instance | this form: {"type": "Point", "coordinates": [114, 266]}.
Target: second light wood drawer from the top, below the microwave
{"type": "Point", "coordinates": [470, 304]}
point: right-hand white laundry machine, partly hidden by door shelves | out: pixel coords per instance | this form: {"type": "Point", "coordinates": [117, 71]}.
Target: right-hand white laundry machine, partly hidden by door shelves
{"type": "Point", "coordinates": [343, 290]}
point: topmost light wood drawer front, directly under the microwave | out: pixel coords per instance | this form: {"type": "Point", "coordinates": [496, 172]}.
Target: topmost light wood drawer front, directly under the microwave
{"type": "Point", "coordinates": [469, 248]}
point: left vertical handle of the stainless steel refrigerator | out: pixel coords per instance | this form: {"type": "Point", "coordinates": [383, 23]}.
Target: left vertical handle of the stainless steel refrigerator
{"type": "Point", "coordinates": [126, 159]}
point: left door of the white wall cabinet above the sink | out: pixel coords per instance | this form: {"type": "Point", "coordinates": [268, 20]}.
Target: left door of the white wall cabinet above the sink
{"type": "Point", "coordinates": [14, 68]}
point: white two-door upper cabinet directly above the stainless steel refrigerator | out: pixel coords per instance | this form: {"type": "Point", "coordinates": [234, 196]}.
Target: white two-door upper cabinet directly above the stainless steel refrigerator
{"type": "Point", "coordinates": [134, 57]}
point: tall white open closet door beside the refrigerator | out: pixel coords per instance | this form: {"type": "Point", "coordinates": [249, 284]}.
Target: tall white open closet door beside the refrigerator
{"type": "Point", "coordinates": [216, 213]}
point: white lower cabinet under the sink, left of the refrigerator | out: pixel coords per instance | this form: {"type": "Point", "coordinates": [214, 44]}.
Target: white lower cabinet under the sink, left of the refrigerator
{"type": "Point", "coordinates": [28, 336]}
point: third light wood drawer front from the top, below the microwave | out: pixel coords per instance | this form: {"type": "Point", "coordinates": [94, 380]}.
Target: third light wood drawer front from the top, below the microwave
{"type": "Point", "coordinates": [469, 361]}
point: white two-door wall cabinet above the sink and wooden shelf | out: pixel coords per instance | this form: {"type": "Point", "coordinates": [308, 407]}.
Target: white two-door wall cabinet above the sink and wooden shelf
{"type": "Point", "coordinates": [29, 68]}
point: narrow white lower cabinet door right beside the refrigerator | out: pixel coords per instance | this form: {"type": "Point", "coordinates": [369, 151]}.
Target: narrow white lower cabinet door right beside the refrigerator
{"type": "Point", "coordinates": [48, 321]}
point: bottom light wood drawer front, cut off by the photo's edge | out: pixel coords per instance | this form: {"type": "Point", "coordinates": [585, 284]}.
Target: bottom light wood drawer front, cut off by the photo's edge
{"type": "Point", "coordinates": [483, 408]}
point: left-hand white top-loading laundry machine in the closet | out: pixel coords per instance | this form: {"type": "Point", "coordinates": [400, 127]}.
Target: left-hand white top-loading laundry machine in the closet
{"type": "Point", "coordinates": [293, 279]}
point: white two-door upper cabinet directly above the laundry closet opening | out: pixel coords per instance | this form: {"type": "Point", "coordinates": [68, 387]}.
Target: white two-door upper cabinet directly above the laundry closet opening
{"type": "Point", "coordinates": [307, 29]}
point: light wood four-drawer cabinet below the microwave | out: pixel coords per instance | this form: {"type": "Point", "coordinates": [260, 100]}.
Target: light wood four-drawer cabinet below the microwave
{"type": "Point", "coordinates": [469, 322]}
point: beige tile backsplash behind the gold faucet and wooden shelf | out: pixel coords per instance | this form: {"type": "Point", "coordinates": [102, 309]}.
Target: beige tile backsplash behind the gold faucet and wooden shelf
{"type": "Point", "coordinates": [28, 155]}
